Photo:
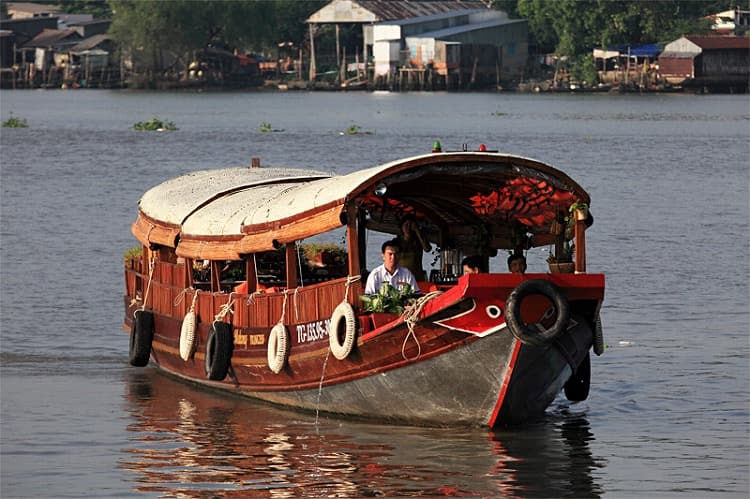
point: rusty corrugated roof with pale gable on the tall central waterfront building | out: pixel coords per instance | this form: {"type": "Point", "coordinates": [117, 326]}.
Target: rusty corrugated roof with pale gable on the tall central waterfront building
{"type": "Point", "coordinates": [384, 10]}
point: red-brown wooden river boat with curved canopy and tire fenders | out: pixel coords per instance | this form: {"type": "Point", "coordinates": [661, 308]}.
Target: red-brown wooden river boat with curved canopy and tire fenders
{"type": "Point", "coordinates": [221, 294]}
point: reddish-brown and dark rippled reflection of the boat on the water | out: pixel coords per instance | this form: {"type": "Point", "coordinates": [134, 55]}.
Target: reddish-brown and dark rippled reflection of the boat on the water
{"type": "Point", "coordinates": [187, 442]}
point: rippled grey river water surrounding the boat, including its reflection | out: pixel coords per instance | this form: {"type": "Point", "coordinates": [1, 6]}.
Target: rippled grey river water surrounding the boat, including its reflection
{"type": "Point", "coordinates": [669, 409]}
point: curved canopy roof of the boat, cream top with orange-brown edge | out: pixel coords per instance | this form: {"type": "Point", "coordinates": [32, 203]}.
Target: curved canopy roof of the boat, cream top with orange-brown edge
{"type": "Point", "coordinates": [222, 214]}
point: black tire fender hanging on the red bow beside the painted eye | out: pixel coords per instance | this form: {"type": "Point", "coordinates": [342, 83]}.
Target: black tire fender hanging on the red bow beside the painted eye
{"type": "Point", "coordinates": [536, 335]}
